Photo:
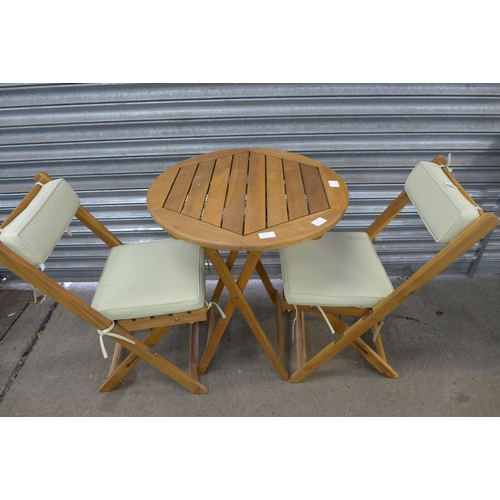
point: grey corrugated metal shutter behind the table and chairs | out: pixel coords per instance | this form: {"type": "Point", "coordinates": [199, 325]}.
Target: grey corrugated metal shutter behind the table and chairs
{"type": "Point", "coordinates": [111, 141]}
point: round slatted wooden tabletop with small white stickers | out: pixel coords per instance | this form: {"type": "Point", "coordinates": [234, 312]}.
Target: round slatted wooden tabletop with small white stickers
{"type": "Point", "coordinates": [247, 199]}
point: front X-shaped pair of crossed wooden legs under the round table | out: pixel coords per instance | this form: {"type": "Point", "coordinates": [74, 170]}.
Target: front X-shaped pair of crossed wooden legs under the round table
{"type": "Point", "coordinates": [237, 299]}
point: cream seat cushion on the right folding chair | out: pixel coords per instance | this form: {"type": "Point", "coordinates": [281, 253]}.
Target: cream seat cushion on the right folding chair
{"type": "Point", "coordinates": [341, 269]}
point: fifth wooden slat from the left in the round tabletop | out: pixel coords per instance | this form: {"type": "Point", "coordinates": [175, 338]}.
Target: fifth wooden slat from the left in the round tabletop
{"type": "Point", "coordinates": [255, 215]}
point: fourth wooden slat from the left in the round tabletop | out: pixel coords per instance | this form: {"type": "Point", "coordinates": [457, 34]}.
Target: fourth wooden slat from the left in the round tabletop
{"type": "Point", "coordinates": [234, 212]}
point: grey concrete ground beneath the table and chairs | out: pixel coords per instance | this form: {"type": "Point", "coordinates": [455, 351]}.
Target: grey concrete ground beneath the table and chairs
{"type": "Point", "coordinates": [444, 342]}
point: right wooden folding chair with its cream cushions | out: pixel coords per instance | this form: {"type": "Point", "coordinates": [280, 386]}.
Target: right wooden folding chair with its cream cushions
{"type": "Point", "coordinates": [341, 274]}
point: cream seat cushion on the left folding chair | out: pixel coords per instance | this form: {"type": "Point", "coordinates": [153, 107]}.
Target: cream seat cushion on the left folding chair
{"type": "Point", "coordinates": [151, 279]}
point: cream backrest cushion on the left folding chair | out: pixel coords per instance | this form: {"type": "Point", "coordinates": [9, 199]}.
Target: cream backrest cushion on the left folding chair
{"type": "Point", "coordinates": [34, 233]}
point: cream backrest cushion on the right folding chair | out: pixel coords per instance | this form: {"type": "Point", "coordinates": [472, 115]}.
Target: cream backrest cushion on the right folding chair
{"type": "Point", "coordinates": [446, 212]}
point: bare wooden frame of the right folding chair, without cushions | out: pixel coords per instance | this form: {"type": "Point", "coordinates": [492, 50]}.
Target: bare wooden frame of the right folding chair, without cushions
{"type": "Point", "coordinates": [370, 319]}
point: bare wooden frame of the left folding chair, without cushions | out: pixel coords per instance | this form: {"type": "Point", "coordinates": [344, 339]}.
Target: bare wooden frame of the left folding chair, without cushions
{"type": "Point", "coordinates": [139, 350]}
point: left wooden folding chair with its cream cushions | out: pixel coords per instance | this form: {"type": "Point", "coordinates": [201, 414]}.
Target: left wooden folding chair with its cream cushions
{"type": "Point", "coordinates": [153, 285]}
